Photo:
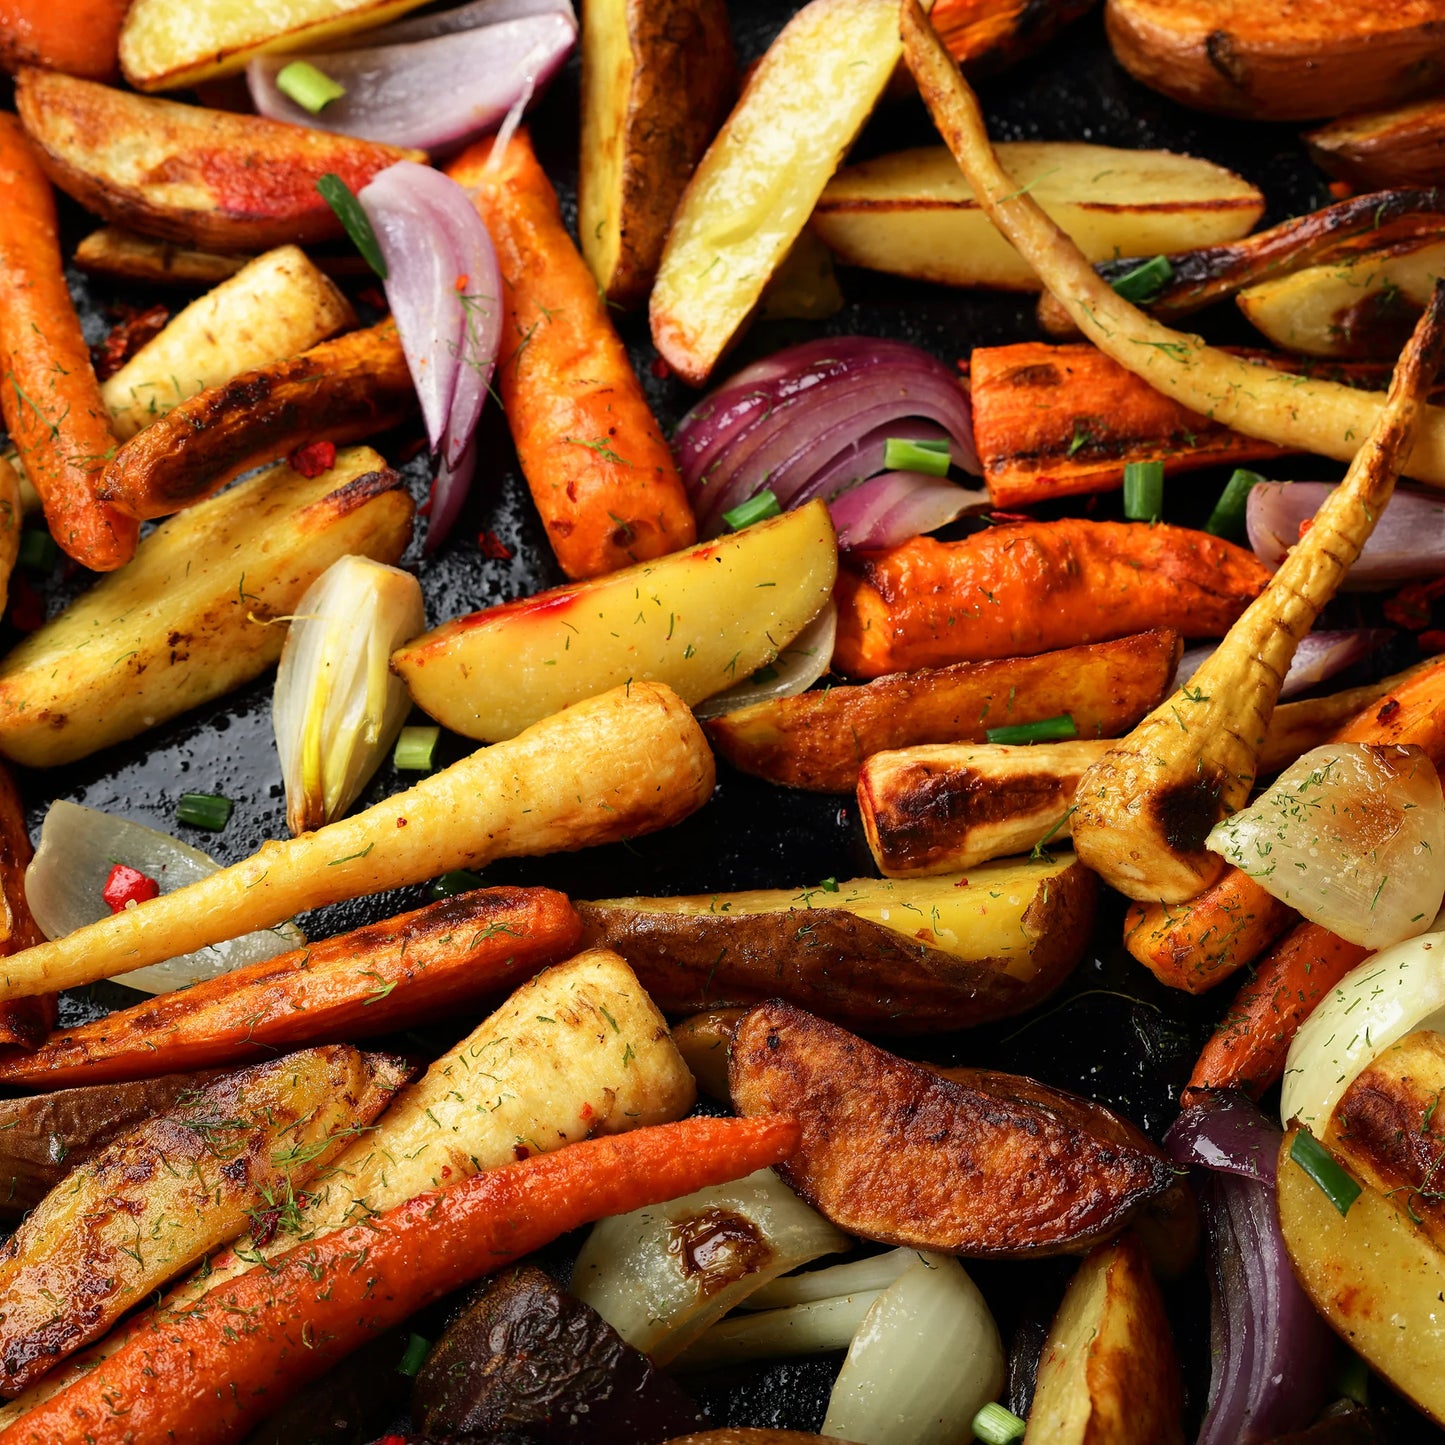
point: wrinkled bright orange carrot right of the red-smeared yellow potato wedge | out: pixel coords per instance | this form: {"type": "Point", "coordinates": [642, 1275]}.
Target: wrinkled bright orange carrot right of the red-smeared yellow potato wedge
{"type": "Point", "coordinates": [1031, 587]}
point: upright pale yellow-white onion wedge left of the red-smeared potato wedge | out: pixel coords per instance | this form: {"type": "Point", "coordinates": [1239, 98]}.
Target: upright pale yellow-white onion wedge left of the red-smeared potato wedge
{"type": "Point", "coordinates": [337, 707]}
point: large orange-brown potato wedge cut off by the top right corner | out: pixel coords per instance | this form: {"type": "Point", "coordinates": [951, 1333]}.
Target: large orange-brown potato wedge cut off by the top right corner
{"type": "Point", "coordinates": [1300, 61]}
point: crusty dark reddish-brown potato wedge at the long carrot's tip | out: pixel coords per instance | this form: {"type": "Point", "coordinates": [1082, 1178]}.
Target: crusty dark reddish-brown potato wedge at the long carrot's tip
{"type": "Point", "coordinates": [897, 1154]}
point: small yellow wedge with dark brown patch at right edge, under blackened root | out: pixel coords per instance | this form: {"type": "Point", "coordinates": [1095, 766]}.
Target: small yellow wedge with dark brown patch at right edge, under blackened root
{"type": "Point", "coordinates": [1363, 307]}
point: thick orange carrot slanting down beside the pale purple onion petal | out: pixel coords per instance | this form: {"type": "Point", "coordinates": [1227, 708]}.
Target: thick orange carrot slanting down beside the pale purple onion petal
{"type": "Point", "coordinates": [600, 473]}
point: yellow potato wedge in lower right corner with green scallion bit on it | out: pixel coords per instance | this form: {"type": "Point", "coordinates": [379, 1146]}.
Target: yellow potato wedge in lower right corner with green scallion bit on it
{"type": "Point", "coordinates": [1373, 1275]}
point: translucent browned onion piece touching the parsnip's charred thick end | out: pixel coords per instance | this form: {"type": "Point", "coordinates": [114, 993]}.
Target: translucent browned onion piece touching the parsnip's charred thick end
{"type": "Point", "coordinates": [1350, 836]}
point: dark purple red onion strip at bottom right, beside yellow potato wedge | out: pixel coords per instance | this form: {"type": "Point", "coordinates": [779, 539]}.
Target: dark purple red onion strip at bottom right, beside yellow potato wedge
{"type": "Point", "coordinates": [1271, 1350]}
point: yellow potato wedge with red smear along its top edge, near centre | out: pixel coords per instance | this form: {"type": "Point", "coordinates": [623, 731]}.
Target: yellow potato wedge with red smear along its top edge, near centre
{"type": "Point", "coordinates": [697, 621]}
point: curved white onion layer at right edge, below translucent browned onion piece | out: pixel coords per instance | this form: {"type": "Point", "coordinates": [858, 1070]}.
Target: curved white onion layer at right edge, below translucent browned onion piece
{"type": "Point", "coordinates": [1381, 1001]}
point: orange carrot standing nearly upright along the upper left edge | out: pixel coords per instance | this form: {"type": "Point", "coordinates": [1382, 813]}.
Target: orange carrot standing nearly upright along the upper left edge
{"type": "Point", "coordinates": [48, 389]}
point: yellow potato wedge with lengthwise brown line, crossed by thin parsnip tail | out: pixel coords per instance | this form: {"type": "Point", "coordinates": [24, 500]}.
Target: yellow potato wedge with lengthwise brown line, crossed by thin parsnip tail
{"type": "Point", "coordinates": [914, 215]}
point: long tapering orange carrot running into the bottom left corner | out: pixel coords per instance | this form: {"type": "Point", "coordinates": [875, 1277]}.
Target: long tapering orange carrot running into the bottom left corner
{"type": "Point", "coordinates": [203, 1376]}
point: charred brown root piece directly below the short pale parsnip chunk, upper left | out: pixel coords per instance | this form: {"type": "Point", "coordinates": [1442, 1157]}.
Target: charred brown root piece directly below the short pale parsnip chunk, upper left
{"type": "Point", "coordinates": [340, 391]}
